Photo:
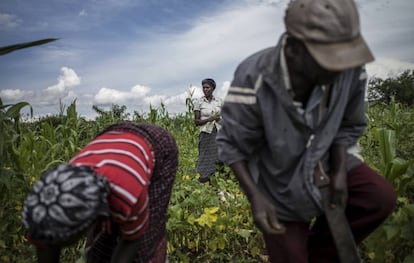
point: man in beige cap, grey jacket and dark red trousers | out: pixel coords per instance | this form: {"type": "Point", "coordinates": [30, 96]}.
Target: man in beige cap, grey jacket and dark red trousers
{"type": "Point", "coordinates": [292, 107]}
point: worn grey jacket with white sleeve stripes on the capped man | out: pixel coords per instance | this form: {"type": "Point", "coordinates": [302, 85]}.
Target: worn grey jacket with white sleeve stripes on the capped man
{"type": "Point", "coordinates": [260, 124]}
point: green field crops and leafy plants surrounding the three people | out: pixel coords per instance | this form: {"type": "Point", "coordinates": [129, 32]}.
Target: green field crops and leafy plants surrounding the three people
{"type": "Point", "coordinates": [207, 222]}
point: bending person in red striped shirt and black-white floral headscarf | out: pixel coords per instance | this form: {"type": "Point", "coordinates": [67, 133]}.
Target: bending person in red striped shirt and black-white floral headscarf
{"type": "Point", "coordinates": [117, 188]}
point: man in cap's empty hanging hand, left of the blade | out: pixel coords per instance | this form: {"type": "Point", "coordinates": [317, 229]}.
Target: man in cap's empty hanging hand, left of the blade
{"type": "Point", "coordinates": [264, 215]}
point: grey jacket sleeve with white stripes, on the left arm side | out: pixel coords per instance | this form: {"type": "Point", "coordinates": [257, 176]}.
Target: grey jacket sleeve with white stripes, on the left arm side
{"type": "Point", "coordinates": [241, 133]}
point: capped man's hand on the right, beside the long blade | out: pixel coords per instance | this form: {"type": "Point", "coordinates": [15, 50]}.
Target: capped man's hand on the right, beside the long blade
{"type": "Point", "coordinates": [339, 189]}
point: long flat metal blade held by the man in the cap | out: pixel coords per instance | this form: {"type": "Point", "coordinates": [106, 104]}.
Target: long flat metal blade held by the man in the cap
{"type": "Point", "coordinates": [338, 223]}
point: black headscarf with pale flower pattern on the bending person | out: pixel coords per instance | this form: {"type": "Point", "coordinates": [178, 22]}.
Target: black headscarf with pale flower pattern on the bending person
{"type": "Point", "coordinates": [64, 202]}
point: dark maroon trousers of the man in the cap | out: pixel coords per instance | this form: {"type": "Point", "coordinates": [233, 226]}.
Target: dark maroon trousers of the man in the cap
{"type": "Point", "coordinates": [371, 199]}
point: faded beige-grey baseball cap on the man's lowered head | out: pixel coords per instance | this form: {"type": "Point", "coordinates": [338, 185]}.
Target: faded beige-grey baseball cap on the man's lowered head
{"type": "Point", "coordinates": [331, 32]}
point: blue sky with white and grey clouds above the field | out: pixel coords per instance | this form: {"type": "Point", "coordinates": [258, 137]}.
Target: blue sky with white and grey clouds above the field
{"type": "Point", "coordinates": [139, 53]}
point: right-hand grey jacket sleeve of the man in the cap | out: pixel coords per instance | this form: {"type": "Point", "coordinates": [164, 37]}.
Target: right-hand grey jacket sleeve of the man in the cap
{"type": "Point", "coordinates": [353, 122]}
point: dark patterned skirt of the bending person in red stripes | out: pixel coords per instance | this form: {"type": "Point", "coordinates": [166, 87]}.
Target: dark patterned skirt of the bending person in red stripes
{"type": "Point", "coordinates": [151, 246]}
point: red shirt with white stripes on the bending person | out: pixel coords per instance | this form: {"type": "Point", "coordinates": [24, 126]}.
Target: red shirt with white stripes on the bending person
{"type": "Point", "coordinates": [126, 160]}
